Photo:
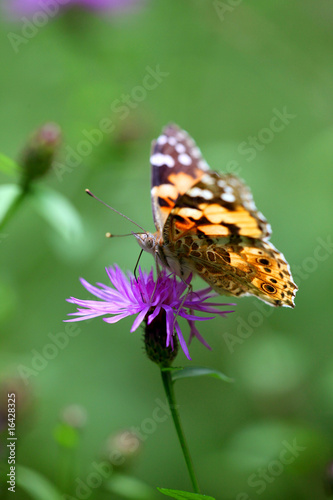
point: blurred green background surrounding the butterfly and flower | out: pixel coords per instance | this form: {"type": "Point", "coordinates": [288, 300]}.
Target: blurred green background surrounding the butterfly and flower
{"type": "Point", "coordinates": [227, 72]}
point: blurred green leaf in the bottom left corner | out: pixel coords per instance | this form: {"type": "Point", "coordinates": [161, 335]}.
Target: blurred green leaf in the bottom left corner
{"type": "Point", "coordinates": [35, 484]}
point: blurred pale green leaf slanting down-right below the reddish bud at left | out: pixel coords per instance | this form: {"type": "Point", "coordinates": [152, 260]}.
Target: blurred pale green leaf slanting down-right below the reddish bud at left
{"type": "Point", "coordinates": [61, 215]}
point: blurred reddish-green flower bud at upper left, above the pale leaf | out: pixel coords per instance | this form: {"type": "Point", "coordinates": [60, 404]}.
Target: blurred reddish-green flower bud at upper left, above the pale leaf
{"type": "Point", "coordinates": [38, 155]}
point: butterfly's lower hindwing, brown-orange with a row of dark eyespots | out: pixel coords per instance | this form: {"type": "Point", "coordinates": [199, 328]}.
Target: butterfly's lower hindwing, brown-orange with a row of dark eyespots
{"type": "Point", "coordinates": [239, 266]}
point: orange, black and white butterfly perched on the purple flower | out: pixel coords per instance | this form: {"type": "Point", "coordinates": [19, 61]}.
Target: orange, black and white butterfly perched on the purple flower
{"type": "Point", "coordinates": [207, 224]}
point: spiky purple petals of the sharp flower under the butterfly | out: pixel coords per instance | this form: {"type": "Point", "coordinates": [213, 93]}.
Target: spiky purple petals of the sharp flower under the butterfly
{"type": "Point", "coordinates": [147, 298]}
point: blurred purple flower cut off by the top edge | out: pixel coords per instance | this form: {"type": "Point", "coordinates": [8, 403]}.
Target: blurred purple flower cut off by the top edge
{"type": "Point", "coordinates": [30, 7]}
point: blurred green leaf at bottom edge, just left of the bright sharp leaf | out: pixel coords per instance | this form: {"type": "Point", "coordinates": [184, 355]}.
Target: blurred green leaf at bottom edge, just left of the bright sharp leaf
{"type": "Point", "coordinates": [130, 487]}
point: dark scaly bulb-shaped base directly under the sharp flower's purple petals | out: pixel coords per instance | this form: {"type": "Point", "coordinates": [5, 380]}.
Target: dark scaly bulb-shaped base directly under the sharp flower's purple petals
{"type": "Point", "coordinates": [155, 341]}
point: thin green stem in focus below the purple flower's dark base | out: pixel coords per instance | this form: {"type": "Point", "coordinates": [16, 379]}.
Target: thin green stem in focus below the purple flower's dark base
{"type": "Point", "coordinates": [169, 390]}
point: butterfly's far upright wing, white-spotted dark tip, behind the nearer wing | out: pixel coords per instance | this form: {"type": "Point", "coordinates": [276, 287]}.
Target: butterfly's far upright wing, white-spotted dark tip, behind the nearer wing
{"type": "Point", "coordinates": [176, 164]}
